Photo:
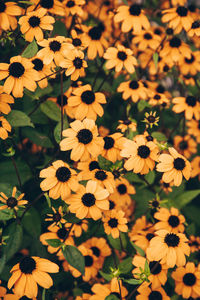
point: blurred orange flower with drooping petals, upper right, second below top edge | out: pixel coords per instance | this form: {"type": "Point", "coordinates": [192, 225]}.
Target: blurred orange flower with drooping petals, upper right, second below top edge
{"type": "Point", "coordinates": [175, 49]}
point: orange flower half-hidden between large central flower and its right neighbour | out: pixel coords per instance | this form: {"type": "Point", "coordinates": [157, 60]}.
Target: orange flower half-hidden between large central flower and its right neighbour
{"type": "Point", "coordinates": [112, 145]}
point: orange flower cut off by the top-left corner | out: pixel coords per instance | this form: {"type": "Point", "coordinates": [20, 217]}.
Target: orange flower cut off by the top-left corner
{"type": "Point", "coordinates": [8, 13]}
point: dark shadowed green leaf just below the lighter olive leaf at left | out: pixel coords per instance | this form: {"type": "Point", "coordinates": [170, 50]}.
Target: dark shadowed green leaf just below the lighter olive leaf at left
{"type": "Point", "coordinates": [37, 137]}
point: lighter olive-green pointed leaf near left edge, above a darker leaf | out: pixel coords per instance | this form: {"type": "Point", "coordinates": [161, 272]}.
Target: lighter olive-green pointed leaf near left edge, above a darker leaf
{"type": "Point", "coordinates": [18, 118]}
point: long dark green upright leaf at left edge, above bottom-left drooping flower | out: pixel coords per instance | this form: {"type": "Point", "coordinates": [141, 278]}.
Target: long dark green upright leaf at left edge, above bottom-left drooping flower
{"type": "Point", "coordinates": [13, 243]}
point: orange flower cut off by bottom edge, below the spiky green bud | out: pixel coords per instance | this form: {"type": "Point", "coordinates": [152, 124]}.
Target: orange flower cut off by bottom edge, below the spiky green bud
{"type": "Point", "coordinates": [114, 287]}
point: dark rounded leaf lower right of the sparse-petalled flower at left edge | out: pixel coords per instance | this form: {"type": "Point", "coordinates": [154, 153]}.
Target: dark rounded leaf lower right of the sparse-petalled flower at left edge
{"type": "Point", "coordinates": [32, 222]}
